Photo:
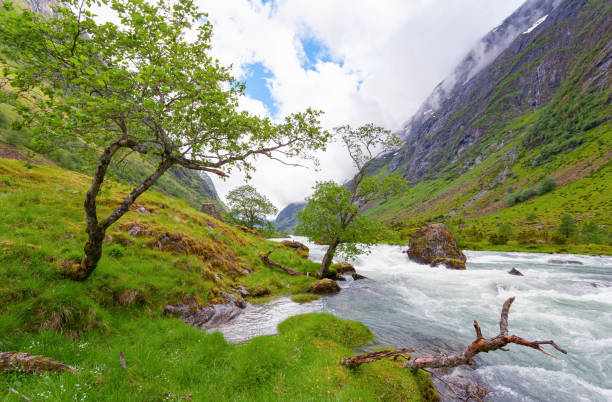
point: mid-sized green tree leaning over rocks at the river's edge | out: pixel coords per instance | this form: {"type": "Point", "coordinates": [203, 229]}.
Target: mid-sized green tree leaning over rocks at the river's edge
{"type": "Point", "coordinates": [334, 214]}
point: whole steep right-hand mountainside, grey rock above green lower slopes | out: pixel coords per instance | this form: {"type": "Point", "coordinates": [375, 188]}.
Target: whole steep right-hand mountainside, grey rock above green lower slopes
{"type": "Point", "coordinates": [541, 107]}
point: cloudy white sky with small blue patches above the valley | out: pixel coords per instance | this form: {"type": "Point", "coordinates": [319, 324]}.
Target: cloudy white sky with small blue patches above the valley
{"type": "Point", "coordinates": [357, 60]}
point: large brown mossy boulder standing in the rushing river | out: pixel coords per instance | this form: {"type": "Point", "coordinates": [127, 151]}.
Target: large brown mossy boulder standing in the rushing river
{"type": "Point", "coordinates": [434, 245]}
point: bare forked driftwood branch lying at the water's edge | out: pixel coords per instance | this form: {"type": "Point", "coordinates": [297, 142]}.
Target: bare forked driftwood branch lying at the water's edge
{"type": "Point", "coordinates": [481, 344]}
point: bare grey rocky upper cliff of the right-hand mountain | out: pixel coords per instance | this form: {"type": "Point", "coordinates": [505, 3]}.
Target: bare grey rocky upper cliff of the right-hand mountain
{"type": "Point", "coordinates": [518, 67]}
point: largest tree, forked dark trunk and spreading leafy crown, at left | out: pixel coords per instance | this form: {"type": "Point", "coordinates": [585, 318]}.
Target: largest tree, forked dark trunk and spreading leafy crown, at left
{"type": "Point", "coordinates": [146, 85]}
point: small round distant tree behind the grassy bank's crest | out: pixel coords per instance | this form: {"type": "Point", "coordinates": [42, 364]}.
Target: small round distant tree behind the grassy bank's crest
{"type": "Point", "coordinates": [249, 206]}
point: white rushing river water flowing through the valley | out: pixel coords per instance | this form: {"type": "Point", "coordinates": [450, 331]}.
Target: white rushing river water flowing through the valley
{"type": "Point", "coordinates": [432, 309]}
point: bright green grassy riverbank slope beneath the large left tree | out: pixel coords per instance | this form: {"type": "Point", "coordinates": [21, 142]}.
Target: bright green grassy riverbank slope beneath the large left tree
{"type": "Point", "coordinates": [88, 324]}
